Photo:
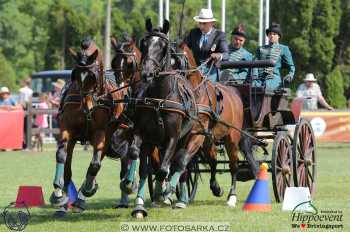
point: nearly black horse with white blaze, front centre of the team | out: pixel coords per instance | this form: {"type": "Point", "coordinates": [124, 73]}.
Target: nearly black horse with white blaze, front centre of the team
{"type": "Point", "coordinates": [165, 107]}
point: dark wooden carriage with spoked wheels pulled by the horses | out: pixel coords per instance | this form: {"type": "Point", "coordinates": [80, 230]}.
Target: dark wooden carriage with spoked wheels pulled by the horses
{"type": "Point", "coordinates": [270, 117]}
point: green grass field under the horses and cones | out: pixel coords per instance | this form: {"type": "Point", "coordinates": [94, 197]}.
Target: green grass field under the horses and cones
{"type": "Point", "coordinates": [32, 168]}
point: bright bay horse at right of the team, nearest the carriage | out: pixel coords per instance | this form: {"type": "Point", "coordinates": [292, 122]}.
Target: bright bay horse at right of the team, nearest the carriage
{"type": "Point", "coordinates": [225, 117]}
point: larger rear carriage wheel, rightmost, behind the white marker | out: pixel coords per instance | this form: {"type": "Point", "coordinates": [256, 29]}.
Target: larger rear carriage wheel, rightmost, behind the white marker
{"type": "Point", "coordinates": [304, 156]}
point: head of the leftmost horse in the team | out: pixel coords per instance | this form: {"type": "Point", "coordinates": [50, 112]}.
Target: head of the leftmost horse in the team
{"type": "Point", "coordinates": [88, 71]}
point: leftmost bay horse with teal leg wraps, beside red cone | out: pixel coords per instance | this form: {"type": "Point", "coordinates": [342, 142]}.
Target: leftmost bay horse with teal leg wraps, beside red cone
{"type": "Point", "coordinates": [86, 116]}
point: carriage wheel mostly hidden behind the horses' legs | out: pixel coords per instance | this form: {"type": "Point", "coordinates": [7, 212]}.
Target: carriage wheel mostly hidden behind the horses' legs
{"type": "Point", "coordinates": [192, 179]}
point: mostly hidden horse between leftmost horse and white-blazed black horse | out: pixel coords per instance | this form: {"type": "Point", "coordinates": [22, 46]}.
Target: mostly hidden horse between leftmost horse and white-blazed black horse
{"type": "Point", "coordinates": [126, 67]}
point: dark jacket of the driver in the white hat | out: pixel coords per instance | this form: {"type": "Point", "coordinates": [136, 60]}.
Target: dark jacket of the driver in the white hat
{"type": "Point", "coordinates": [215, 37]}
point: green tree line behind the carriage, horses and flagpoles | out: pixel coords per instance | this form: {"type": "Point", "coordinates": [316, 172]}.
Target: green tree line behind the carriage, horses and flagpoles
{"type": "Point", "coordinates": [36, 34]}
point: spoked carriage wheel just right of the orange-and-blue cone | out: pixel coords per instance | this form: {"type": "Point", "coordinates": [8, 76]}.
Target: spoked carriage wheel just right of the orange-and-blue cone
{"type": "Point", "coordinates": [281, 165]}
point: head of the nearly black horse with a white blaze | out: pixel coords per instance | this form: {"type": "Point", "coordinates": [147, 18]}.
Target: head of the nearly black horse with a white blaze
{"type": "Point", "coordinates": [155, 49]}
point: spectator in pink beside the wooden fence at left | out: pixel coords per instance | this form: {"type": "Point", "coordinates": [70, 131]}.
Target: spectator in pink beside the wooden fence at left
{"type": "Point", "coordinates": [41, 122]}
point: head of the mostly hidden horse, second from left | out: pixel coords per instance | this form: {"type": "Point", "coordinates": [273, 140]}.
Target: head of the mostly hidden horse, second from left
{"type": "Point", "coordinates": [127, 59]}
